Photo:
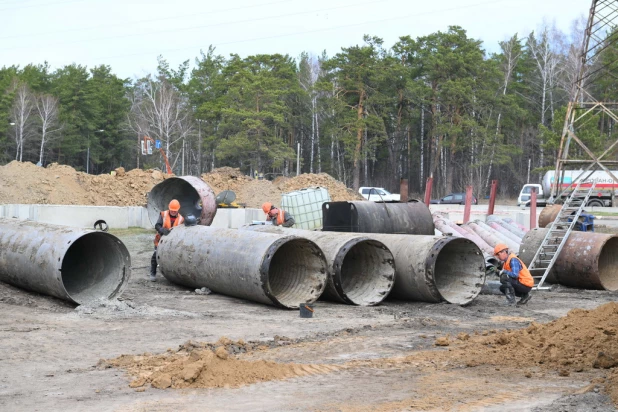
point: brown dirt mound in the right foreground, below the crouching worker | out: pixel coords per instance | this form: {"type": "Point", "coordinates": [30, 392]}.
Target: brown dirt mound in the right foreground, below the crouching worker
{"type": "Point", "coordinates": [580, 341]}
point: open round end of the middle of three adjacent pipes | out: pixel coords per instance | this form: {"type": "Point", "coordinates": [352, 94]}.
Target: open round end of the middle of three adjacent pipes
{"type": "Point", "coordinates": [364, 272]}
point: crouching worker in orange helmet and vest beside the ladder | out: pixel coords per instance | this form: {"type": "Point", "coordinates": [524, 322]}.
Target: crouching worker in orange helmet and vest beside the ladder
{"type": "Point", "coordinates": [515, 277]}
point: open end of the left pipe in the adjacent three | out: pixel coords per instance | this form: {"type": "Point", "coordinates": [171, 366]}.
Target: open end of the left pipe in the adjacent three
{"type": "Point", "coordinates": [294, 271]}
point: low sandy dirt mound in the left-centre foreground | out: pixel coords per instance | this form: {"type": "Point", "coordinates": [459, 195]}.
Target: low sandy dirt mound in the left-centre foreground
{"type": "Point", "coordinates": [196, 365]}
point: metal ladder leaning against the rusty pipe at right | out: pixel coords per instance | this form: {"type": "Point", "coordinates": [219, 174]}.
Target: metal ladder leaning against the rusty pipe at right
{"type": "Point", "coordinates": [558, 234]}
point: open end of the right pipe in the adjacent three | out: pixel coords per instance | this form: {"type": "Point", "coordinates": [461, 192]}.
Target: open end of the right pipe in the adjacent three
{"type": "Point", "coordinates": [458, 269]}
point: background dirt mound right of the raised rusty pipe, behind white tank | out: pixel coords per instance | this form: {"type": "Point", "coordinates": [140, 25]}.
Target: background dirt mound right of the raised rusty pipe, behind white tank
{"type": "Point", "coordinates": [252, 193]}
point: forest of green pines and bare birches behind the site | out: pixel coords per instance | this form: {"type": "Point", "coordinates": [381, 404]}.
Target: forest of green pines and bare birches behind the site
{"type": "Point", "coordinates": [369, 115]}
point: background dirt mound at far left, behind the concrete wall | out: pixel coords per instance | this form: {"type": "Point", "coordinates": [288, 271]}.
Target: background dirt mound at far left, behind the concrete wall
{"type": "Point", "coordinates": [62, 185]}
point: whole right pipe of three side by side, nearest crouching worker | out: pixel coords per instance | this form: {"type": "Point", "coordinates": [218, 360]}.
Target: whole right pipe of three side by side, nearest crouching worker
{"type": "Point", "coordinates": [433, 269]}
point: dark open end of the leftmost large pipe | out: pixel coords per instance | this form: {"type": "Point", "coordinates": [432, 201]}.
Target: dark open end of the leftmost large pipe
{"type": "Point", "coordinates": [96, 266]}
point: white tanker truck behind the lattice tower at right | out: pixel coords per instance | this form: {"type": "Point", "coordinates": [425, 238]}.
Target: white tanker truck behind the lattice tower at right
{"type": "Point", "coordinates": [604, 191]}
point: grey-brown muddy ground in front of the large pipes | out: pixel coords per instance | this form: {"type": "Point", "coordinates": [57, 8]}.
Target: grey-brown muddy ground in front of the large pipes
{"type": "Point", "coordinates": [50, 351]}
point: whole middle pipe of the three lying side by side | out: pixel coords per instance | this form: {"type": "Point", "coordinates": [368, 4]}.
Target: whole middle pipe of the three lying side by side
{"type": "Point", "coordinates": [361, 269]}
